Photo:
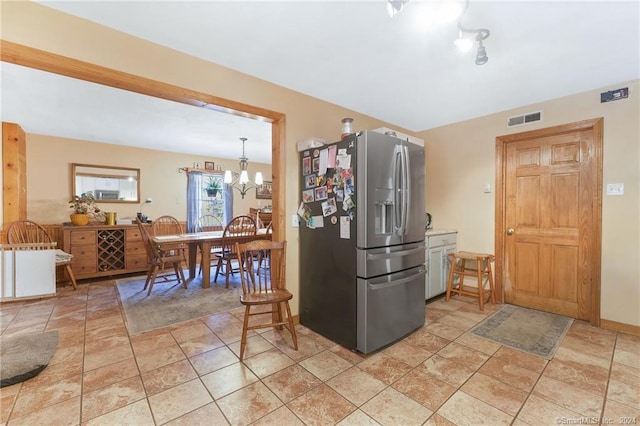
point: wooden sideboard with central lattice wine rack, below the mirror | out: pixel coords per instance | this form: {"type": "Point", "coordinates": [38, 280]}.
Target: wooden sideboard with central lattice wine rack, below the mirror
{"type": "Point", "coordinates": [102, 250]}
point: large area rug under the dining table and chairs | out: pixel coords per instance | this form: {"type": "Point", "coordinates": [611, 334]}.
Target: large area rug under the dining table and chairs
{"type": "Point", "coordinates": [171, 303]}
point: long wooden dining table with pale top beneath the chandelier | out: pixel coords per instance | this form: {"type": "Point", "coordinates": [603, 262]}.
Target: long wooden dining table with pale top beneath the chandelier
{"type": "Point", "coordinates": [204, 241]}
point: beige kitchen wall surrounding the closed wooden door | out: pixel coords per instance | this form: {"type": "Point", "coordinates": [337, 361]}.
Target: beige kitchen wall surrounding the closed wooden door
{"type": "Point", "coordinates": [461, 159]}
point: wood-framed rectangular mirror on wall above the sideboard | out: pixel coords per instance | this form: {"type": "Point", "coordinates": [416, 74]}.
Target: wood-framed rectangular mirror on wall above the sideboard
{"type": "Point", "coordinates": [108, 184]}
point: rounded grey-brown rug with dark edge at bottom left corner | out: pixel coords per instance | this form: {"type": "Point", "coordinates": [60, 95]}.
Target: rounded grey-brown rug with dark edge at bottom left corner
{"type": "Point", "coordinates": [25, 355]}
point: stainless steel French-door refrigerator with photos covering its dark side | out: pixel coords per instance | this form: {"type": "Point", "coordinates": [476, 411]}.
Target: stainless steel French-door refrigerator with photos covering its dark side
{"type": "Point", "coordinates": [362, 250]}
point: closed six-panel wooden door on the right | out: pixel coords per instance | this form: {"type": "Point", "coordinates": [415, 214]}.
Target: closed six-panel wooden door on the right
{"type": "Point", "coordinates": [548, 232]}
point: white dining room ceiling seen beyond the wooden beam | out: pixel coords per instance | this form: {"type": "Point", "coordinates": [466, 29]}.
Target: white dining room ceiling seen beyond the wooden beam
{"type": "Point", "coordinates": [51, 104]}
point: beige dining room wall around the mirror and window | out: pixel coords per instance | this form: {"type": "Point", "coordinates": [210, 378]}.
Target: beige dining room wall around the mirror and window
{"type": "Point", "coordinates": [49, 161]}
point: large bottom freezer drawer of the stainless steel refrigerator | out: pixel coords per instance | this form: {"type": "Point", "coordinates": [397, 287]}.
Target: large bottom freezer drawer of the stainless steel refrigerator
{"type": "Point", "coordinates": [389, 308]}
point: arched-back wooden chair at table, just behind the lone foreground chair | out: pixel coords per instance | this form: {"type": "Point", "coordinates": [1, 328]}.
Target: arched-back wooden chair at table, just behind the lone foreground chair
{"type": "Point", "coordinates": [241, 229]}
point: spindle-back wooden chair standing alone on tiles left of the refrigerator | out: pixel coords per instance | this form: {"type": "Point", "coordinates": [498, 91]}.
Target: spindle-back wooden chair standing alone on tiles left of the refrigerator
{"type": "Point", "coordinates": [264, 286]}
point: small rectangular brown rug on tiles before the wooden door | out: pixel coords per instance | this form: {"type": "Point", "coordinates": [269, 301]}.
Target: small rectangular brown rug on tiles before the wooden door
{"type": "Point", "coordinates": [535, 332]}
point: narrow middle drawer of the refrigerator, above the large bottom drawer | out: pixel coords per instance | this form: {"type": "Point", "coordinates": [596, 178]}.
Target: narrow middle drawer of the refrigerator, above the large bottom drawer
{"type": "Point", "coordinates": [386, 260]}
